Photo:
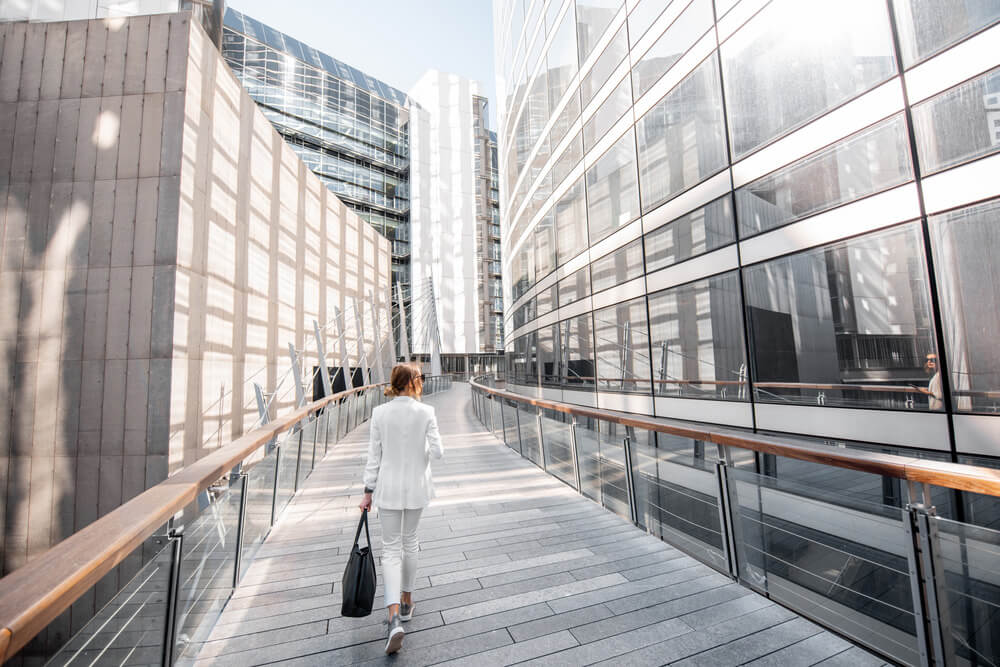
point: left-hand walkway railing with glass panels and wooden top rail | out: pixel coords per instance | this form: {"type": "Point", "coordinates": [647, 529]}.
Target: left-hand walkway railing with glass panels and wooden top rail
{"type": "Point", "coordinates": [194, 534]}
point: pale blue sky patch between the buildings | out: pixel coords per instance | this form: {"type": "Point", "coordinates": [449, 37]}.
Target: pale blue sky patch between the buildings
{"type": "Point", "coordinates": [392, 40]}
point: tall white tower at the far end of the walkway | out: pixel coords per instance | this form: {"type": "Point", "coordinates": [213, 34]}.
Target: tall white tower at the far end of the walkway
{"type": "Point", "coordinates": [457, 302]}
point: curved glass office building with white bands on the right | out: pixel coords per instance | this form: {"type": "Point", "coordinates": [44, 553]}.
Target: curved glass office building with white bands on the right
{"type": "Point", "coordinates": [776, 217]}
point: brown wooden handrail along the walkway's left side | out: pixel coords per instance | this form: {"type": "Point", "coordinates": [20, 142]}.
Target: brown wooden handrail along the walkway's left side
{"type": "Point", "coordinates": [33, 596]}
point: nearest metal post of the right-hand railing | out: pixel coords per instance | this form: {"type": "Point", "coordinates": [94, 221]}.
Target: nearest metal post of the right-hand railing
{"type": "Point", "coordinates": [927, 585]}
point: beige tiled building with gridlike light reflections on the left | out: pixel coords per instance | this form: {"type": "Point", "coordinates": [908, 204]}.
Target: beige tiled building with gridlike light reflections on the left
{"type": "Point", "coordinates": [162, 247]}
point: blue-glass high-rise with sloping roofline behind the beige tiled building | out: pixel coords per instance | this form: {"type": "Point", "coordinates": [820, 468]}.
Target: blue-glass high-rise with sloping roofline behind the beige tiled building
{"type": "Point", "coordinates": [348, 127]}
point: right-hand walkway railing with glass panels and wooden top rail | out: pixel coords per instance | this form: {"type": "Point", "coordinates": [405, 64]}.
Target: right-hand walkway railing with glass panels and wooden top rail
{"type": "Point", "coordinates": [916, 587]}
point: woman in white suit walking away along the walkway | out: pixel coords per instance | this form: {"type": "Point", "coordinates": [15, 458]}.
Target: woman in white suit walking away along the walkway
{"type": "Point", "coordinates": [404, 439]}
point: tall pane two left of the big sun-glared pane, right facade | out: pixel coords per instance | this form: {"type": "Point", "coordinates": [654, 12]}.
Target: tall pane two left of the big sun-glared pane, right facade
{"type": "Point", "coordinates": [612, 189]}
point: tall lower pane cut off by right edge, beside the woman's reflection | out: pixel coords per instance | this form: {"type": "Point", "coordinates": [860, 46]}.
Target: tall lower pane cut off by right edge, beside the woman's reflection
{"type": "Point", "coordinates": [966, 245]}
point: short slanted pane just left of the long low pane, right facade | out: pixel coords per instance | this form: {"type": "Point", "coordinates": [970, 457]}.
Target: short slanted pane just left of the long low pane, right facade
{"type": "Point", "coordinates": [702, 230]}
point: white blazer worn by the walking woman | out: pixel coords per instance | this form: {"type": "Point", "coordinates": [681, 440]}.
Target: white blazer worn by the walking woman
{"type": "Point", "coordinates": [404, 438]}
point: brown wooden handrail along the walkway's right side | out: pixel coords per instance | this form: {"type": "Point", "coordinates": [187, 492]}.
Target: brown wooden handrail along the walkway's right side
{"type": "Point", "coordinates": [976, 479]}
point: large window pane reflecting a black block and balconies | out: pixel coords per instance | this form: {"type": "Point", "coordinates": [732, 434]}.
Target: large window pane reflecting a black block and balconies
{"type": "Point", "coordinates": [846, 324]}
